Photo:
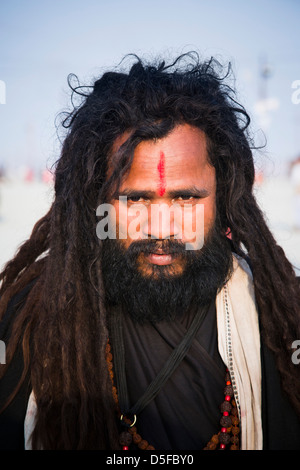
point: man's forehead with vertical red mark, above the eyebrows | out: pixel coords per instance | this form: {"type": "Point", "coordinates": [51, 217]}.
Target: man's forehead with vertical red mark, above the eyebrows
{"type": "Point", "coordinates": [177, 160]}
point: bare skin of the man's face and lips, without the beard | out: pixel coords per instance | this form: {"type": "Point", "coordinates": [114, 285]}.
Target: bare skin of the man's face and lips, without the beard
{"type": "Point", "coordinates": [167, 171]}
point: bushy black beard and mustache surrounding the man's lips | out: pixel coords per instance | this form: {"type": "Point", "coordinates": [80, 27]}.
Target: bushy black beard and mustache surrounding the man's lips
{"type": "Point", "coordinates": [164, 295]}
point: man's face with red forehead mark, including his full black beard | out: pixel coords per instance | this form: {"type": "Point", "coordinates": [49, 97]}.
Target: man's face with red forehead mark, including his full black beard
{"type": "Point", "coordinates": [151, 271]}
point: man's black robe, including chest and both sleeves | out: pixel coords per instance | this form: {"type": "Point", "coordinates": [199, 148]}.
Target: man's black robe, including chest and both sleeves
{"type": "Point", "coordinates": [185, 414]}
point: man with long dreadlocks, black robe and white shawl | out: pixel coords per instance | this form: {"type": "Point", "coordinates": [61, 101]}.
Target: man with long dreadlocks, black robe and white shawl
{"type": "Point", "coordinates": [151, 307]}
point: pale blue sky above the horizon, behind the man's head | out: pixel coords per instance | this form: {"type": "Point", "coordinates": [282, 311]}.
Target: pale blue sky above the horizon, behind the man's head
{"type": "Point", "coordinates": [41, 42]}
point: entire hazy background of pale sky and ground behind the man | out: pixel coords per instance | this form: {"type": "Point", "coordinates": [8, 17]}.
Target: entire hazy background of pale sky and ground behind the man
{"type": "Point", "coordinates": [41, 42]}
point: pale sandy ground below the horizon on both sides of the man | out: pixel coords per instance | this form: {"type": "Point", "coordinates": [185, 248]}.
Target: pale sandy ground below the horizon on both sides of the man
{"type": "Point", "coordinates": [23, 203]}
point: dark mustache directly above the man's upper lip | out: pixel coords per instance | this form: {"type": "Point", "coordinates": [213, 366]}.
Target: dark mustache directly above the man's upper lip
{"type": "Point", "coordinates": [152, 246]}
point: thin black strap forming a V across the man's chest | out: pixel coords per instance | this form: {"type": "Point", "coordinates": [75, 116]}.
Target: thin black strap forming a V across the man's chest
{"type": "Point", "coordinates": [165, 373]}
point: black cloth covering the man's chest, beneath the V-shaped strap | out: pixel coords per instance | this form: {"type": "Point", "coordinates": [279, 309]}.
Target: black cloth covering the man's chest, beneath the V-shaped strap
{"type": "Point", "coordinates": [186, 412]}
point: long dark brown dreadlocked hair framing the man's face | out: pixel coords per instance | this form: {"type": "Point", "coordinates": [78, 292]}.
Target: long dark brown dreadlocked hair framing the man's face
{"type": "Point", "coordinates": [62, 326]}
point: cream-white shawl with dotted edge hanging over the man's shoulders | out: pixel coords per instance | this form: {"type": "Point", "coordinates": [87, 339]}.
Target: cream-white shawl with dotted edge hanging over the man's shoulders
{"type": "Point", "coordinates": [239, 346]}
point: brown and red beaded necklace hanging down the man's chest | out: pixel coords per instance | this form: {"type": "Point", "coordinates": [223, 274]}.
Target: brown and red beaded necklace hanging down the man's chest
{"type": "Point", "coordinates": [227, 438]}
